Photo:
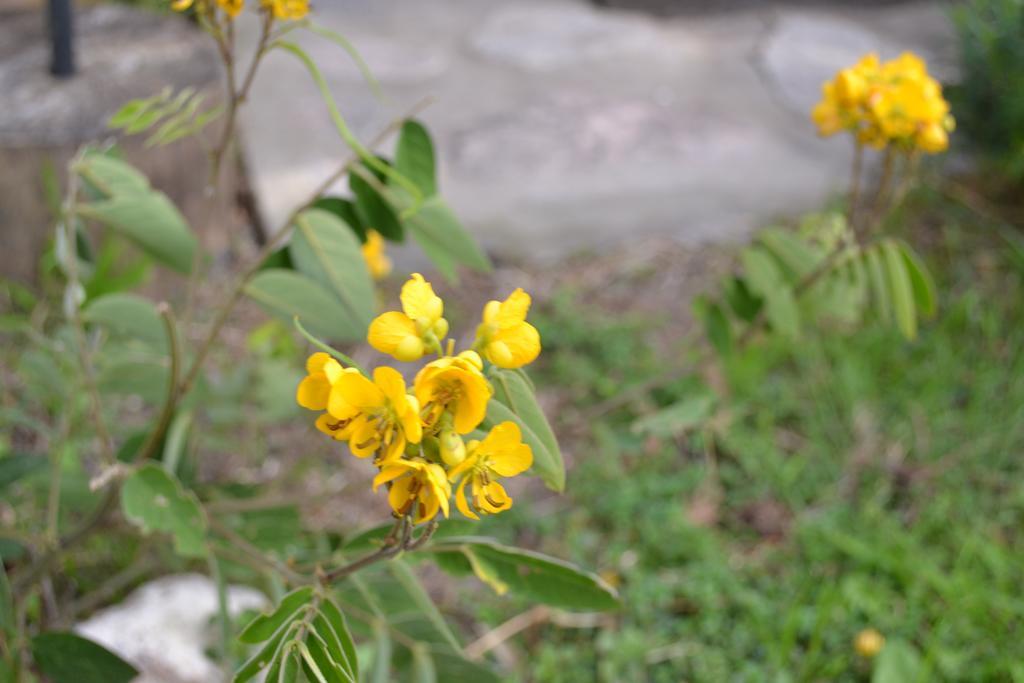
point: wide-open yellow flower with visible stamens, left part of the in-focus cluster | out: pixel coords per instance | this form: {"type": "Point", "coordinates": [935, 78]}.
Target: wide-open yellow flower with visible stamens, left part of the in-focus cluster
{"type": "Point", "coordinates": [379, 416]}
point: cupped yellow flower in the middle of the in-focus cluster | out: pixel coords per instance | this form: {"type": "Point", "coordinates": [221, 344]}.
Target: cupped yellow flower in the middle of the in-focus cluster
{"type": "Point", "coordinates": [455, 385]}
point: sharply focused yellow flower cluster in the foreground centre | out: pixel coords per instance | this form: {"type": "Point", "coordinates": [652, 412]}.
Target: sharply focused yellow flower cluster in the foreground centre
{"type": "Point", "coordinates": [416, 435]}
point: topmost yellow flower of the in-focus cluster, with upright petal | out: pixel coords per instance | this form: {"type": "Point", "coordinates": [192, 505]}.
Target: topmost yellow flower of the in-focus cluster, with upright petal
{"type": "Point", "coordinates": [409, 335]}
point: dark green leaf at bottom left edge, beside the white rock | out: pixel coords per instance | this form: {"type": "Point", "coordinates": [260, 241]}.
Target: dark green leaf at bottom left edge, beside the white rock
{"type": "Point", "coordinates": [65, 658]}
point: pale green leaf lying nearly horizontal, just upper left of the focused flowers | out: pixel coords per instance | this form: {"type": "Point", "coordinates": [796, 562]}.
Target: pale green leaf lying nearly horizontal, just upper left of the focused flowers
{"type": "Point", "coordinates": [288, 294]}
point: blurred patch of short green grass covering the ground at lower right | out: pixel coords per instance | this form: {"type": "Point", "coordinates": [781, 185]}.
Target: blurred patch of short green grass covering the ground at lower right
{"type": "Point", "coordinates": [863, 482]}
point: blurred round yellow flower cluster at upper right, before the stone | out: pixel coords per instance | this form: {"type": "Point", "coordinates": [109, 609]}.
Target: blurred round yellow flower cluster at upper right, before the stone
{"type": "Point", "coordinates": [893, 103]}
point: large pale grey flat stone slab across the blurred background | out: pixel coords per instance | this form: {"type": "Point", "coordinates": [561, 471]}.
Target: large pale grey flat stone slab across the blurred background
{"type": "Point", "coordinates": [563, 127]}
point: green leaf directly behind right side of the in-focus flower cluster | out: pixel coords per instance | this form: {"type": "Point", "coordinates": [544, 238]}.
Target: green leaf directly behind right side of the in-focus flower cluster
{"type": "Point", "coordinates": [515, 401]}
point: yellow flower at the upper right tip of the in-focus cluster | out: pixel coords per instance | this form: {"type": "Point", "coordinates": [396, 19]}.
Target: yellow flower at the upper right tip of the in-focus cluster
{"type": "Point", "coordinates": [505, 338]}
